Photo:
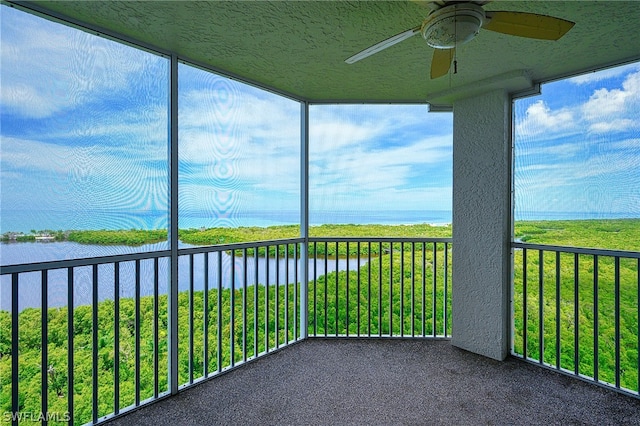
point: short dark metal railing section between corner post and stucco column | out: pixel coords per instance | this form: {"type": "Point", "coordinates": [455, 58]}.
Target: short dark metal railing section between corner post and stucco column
{"type": "Point", "coordinates": [393, 287]}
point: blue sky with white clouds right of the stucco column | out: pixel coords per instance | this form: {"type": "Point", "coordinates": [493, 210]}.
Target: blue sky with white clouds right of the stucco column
{"type": "Point", "coordinates": [577, 145]}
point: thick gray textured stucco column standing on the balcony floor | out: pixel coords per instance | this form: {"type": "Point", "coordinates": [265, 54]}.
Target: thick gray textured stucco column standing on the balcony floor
{"type": "Point", "coordinates": [481, 224]}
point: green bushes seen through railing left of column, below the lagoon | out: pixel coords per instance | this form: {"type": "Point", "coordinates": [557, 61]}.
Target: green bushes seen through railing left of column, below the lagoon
{"type": "Point", "coordinates": [380, 309]}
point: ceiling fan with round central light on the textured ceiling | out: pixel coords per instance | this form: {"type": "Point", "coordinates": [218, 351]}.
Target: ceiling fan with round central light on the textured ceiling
{"type": "Point", "coordinates": [452, 23]}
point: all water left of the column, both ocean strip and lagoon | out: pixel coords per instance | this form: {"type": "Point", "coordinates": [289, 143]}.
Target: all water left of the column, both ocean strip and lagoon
{"type": "Point", "coordinates": [30, 284]}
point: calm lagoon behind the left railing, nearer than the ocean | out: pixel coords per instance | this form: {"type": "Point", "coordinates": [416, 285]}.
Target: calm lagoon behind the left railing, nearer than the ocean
{"type": "Point", "coordinates": [269, 270]}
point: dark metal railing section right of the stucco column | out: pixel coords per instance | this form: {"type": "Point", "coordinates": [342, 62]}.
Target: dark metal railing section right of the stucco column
{"type": "Point", "coordinates": [576, 310]}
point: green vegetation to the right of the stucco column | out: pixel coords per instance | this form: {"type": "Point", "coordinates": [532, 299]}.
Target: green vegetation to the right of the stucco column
{"type": "Point", "coordinates": [579, 304]}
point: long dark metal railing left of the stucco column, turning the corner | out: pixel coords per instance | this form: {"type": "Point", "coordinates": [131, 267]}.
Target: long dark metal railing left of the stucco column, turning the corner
{"type": "Point", "coordinates": [101, 326]}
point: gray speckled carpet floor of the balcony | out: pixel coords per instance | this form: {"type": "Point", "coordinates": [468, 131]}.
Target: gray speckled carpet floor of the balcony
{"type": "Point", "coordinates": [378, 382]}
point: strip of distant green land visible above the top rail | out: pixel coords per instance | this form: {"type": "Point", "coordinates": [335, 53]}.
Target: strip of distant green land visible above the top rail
{"type": "Point", "coordinates": [525, 230]}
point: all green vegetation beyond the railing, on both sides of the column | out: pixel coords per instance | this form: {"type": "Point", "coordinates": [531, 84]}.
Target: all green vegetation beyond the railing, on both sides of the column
{"type": "Point", "coordinates": [384, 297]}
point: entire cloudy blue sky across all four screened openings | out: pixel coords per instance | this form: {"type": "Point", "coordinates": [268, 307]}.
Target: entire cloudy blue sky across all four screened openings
{"type": "Point", "coordinates": [84, 127]}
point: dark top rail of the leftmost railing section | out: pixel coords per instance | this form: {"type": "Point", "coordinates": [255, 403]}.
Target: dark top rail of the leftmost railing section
{"type": "Point", "coordinates": [90, 261]}
